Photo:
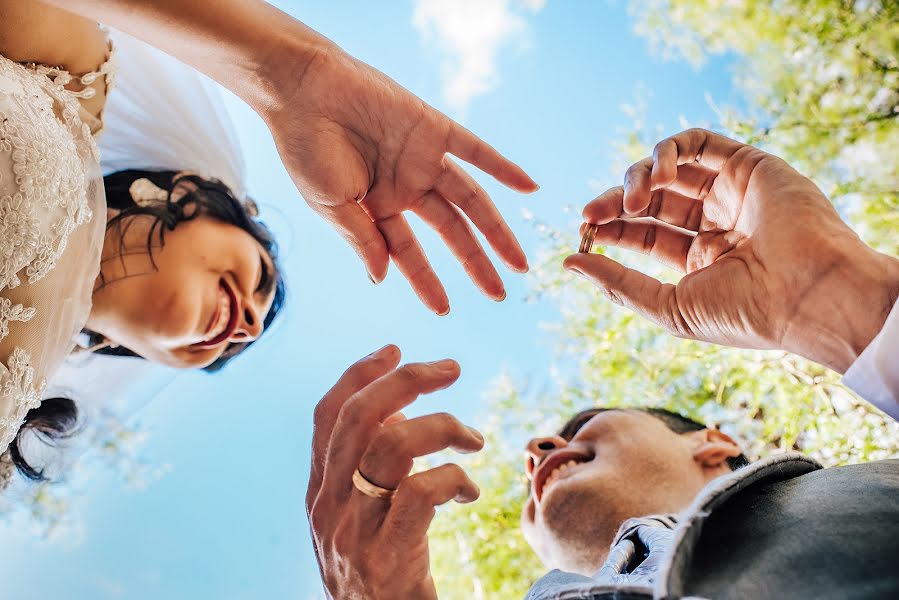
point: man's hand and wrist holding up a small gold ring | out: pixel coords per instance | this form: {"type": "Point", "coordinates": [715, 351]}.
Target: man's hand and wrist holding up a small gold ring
{"type": "Point", "coordinates": [768, 261]}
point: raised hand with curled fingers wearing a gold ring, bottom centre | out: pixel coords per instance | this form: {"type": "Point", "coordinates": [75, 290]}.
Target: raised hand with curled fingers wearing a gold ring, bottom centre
{"type": "Point", "coordinates": [377, 547]}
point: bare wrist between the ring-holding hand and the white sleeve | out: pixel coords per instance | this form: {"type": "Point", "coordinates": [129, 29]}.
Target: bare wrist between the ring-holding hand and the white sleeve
{"type": "Point", "coordinates": [845, 310]}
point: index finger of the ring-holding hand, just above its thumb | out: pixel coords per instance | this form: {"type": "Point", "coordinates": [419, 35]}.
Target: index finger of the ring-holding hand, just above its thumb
{"type": "Point", "coordinates": [665, 244]}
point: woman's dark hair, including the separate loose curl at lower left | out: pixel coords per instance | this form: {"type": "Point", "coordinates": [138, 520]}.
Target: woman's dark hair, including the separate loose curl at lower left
{"type": "Point", "coordinates": [56, 418]}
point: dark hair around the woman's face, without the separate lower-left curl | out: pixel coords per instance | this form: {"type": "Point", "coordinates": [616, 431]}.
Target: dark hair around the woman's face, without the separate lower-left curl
{"type": "Point", "coordinates": [201, 196]}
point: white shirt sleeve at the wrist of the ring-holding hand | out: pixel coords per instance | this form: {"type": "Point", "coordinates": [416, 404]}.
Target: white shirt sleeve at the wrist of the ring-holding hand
{"type": "Point", "coordinates": [875, 374]}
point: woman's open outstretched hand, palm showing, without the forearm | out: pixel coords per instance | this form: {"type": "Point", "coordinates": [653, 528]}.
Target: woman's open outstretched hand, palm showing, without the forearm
{"type": "Point", "coordinates": [363, 150]}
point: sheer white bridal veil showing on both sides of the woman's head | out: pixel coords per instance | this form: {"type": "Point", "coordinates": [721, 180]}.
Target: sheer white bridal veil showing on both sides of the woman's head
{"type": "Point", "coordinates": [162, 115]}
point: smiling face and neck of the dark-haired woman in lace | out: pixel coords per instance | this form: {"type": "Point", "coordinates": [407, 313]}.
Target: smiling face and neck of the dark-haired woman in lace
{"type": "Point", "coordinates": [202, 291]}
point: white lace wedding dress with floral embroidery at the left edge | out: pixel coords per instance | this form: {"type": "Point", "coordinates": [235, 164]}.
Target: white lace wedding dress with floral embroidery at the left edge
{"type": "Point", "coordinates": [52, 222]}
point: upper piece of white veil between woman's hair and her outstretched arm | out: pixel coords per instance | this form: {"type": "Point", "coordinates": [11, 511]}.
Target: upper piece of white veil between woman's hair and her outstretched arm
{"type": "Point", "coordinates": [165, 115]}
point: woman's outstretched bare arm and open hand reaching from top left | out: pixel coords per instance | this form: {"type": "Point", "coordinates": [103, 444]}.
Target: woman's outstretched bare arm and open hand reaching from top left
{"type": "Point", "coordinates": [361, 149]}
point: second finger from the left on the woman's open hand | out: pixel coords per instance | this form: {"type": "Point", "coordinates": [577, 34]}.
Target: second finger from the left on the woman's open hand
{"type": "Point", "coordinates": [410, 259]}
